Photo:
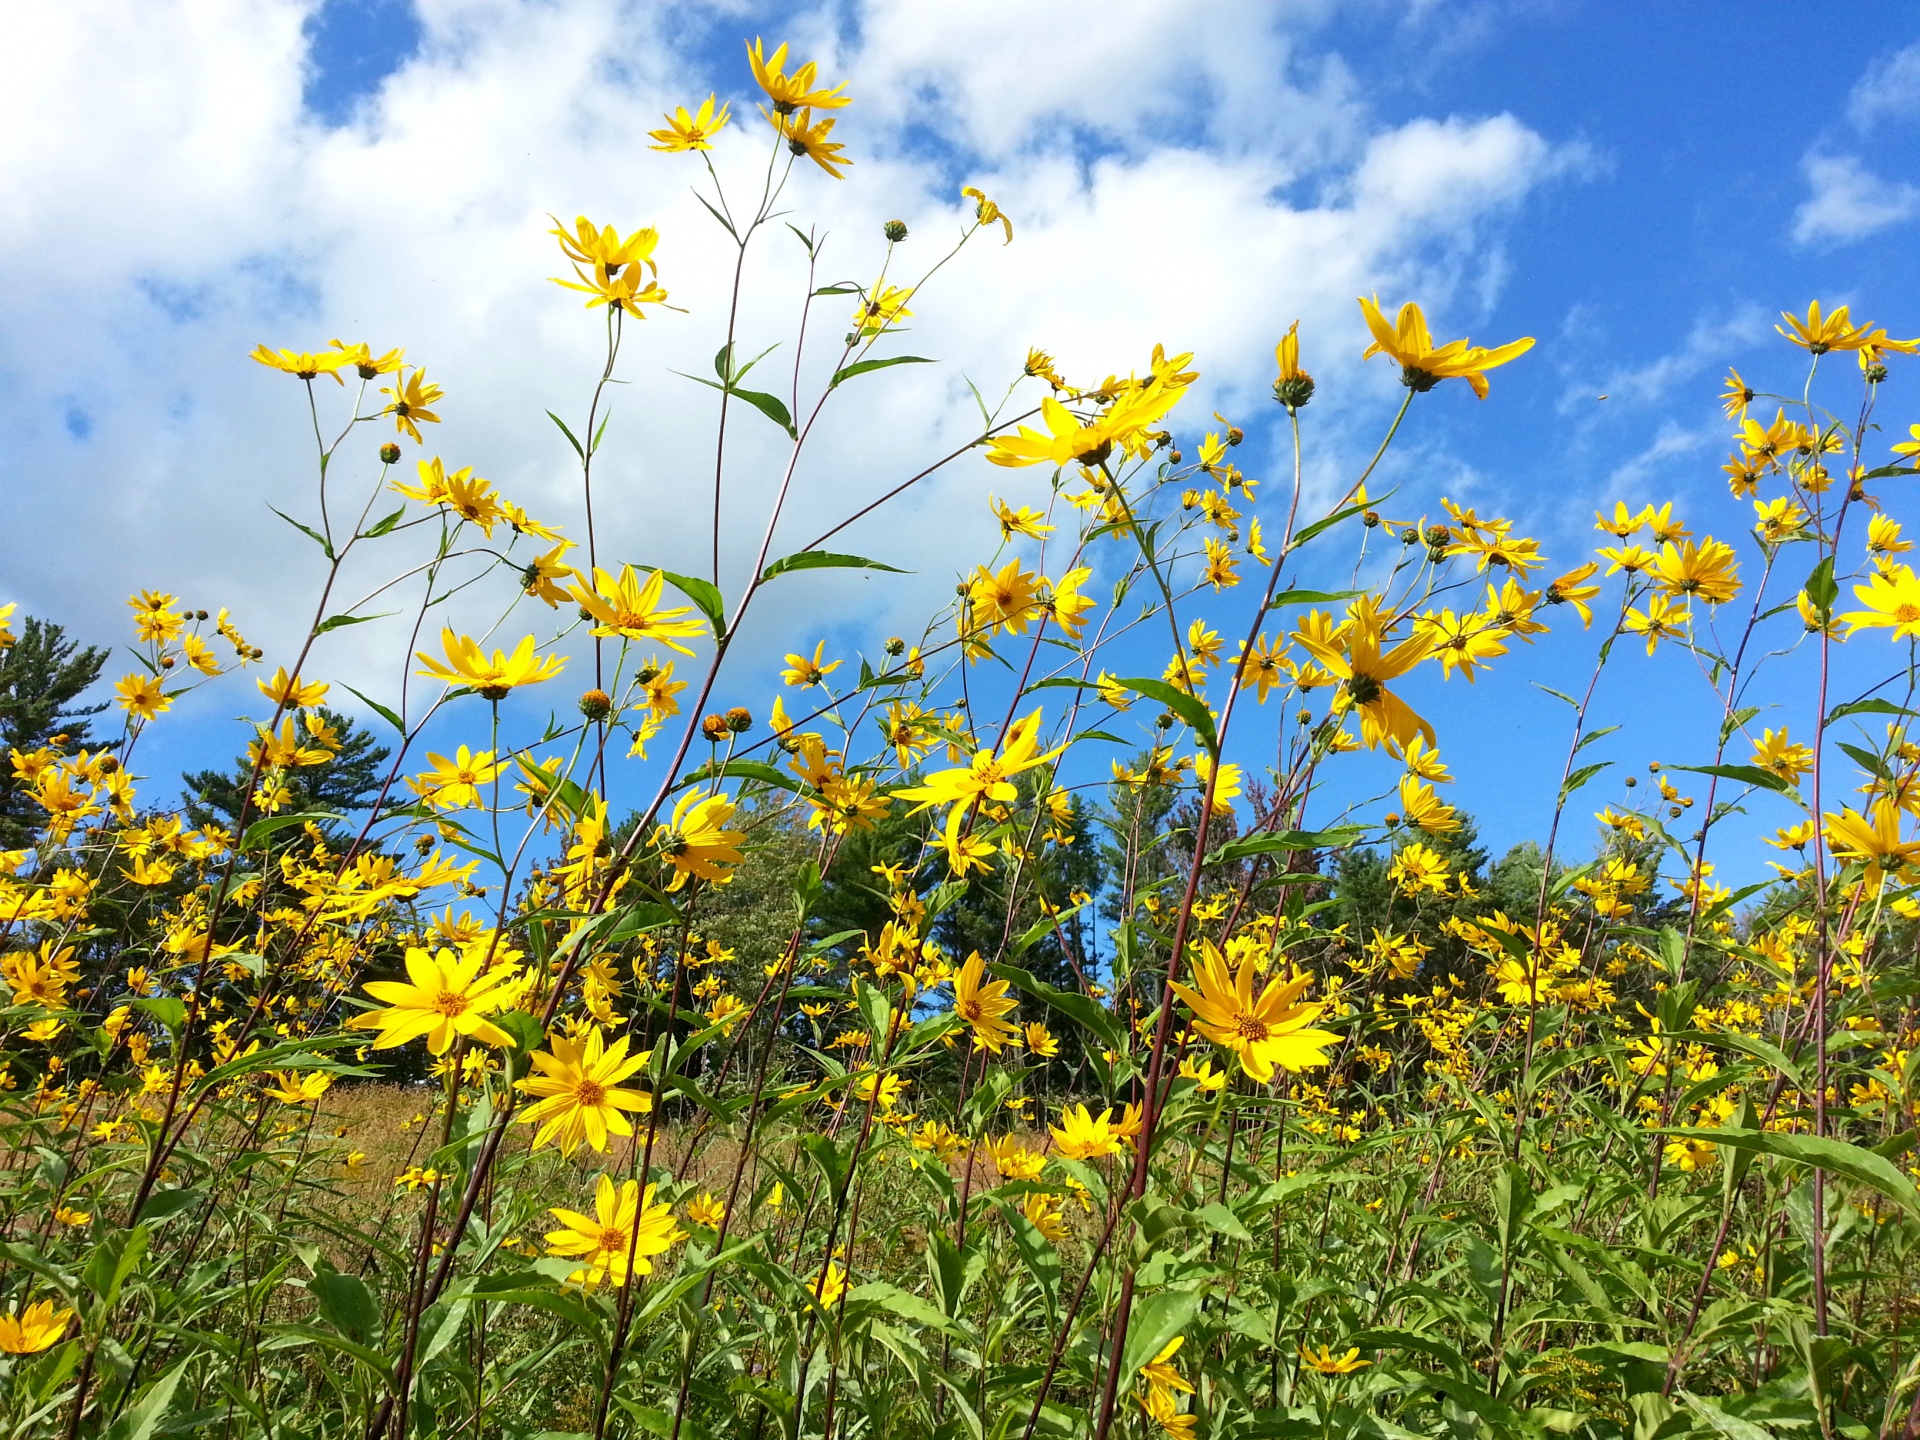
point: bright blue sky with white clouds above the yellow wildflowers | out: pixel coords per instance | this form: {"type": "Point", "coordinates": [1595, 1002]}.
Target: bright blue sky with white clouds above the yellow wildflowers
{"type": "Point", "coordinates": [1643, 191]}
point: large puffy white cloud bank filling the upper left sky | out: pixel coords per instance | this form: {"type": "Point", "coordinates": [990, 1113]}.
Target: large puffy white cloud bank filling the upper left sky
{"type": "Point", "coordinates": [164, 206]}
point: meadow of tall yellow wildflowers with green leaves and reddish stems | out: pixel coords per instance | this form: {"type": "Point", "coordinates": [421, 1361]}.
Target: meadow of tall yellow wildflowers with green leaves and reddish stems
{"type": "Point", "coordinates": [1022, 1030]}
